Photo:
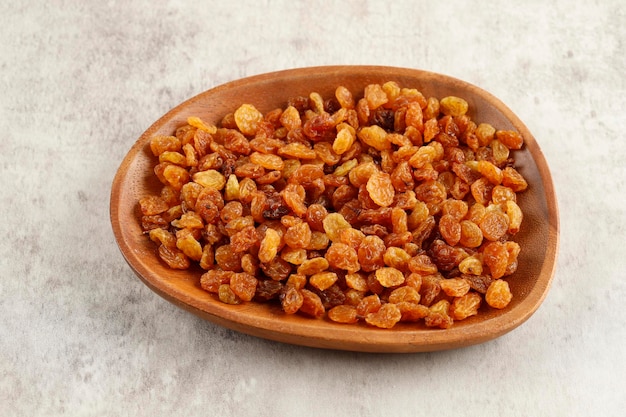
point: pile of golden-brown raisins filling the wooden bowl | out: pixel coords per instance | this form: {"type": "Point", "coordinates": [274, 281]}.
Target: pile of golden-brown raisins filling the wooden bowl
{"type": "Point", "coordinates": [394, 207]}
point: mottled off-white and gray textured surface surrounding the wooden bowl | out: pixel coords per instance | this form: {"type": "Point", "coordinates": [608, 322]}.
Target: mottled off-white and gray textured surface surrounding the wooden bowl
{"type": "Point", "coordinates": [80, 81]}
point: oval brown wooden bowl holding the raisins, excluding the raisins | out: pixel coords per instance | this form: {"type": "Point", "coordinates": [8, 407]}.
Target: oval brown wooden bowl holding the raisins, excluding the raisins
{"type": "Point", "coordinates": [539, 235]}
